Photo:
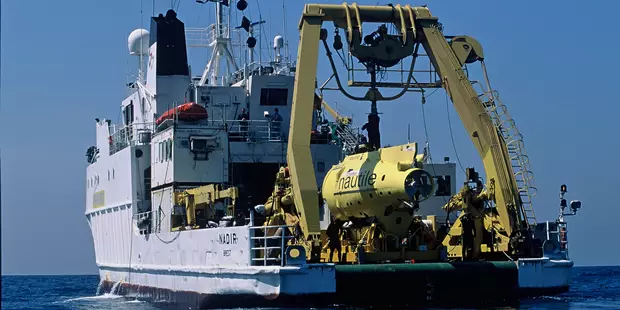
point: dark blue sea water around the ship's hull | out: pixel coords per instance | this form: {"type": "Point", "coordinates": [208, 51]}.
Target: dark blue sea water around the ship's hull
{"type": "Point", "coordinates": [592, 288]}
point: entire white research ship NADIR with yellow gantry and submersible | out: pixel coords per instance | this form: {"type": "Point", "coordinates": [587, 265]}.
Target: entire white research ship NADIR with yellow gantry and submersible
{"type": "Point", "coordinates": [233, 187]}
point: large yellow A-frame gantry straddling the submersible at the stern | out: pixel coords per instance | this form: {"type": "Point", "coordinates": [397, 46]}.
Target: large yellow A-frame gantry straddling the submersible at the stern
{"type": "Point", "coordinates": [508, 221]}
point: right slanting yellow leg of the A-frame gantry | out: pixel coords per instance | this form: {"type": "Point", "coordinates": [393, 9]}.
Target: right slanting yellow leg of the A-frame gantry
{"type": "Point", "coordinates": [448, 60]}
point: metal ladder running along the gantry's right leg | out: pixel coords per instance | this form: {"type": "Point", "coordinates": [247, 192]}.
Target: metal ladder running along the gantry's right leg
{"type": "Point", "coordinates": [507, 128]}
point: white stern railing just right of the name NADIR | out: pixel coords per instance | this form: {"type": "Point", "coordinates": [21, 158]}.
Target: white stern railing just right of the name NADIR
{"type": "Point", "coordinates": [268, 250]}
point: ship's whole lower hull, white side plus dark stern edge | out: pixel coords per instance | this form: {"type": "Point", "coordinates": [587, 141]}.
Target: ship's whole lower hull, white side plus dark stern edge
{"type": "Point", "coordinates": [213, 268]}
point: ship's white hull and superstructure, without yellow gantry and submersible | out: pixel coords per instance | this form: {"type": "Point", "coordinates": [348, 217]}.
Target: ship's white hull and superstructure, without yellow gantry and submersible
{"type": "Point", "coordinates": [136, 167]}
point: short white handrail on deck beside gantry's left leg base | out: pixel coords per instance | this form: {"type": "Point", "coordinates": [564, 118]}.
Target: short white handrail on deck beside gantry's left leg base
{"type": "Point", "coordinates": [263, 248]}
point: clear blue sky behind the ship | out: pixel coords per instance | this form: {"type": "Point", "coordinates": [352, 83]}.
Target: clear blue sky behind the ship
{"type": "Point", "coordinates": [64, 63]}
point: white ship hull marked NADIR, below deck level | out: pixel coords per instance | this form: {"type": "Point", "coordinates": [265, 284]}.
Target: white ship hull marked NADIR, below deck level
{"type": "Point", "coordinates": [214, 268]}
